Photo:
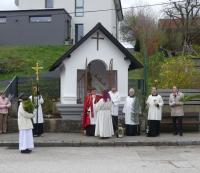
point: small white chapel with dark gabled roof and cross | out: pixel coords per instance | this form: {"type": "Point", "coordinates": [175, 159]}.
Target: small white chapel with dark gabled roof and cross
{"type": "Point", "coordinates": [98, 55]}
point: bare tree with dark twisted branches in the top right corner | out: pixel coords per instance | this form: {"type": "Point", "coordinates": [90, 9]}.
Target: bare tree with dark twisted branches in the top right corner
{"type": "Point", "coordinates": [185, 16]}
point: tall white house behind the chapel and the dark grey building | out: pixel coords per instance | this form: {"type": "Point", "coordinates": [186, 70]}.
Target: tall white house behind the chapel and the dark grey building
{"type": "Point", "coordinates": [85, 13]}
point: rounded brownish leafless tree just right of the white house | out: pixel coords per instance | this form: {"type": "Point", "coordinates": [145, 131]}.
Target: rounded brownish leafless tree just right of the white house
{"type": "Point", "coordinates": [142, 26]}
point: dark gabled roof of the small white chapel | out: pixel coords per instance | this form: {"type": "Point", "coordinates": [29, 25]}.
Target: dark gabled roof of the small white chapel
{"type": "Point", "coordinates": [128, 56]}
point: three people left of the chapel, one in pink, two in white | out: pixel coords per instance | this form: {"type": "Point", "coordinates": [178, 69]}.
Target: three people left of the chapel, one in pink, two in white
{"type": "Point", "coordinates": [30, 118]}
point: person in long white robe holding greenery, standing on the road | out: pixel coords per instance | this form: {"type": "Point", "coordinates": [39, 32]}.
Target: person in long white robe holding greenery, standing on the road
{"type": "Point", "coordinates": [25, 126]}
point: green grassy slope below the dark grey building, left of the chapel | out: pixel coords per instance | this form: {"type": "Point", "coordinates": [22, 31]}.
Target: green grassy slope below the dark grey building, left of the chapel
{"type": "Point", "coordinates": [18, 60]}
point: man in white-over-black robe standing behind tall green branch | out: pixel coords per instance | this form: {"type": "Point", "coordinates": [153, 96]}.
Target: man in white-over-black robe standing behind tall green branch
{"type": "Point", "coordinates": [132, 110]}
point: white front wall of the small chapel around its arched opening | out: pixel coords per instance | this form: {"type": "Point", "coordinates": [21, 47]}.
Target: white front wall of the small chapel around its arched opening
{"type": "Point", "coordinates": [88, 50]}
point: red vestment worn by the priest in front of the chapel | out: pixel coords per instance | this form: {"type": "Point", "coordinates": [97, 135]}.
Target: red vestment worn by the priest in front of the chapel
{"type": "Point", "coordinates": [88, 103]}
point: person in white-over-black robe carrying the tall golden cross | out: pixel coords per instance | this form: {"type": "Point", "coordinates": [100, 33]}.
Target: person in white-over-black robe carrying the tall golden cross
{"type": "Point", "coordinates": [38, 120]}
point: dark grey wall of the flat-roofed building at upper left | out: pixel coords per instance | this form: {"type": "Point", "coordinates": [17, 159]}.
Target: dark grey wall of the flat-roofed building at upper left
{"type": "Point", "coordinates": [18, 30]}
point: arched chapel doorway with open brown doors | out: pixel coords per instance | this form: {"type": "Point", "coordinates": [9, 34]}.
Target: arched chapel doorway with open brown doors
{"type": "Point", "coordinates": [96, 74]}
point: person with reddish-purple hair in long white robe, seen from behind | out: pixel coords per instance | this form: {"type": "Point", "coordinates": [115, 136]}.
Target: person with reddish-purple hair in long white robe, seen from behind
{"type": "Point", "coordinates": [104, 126]}
